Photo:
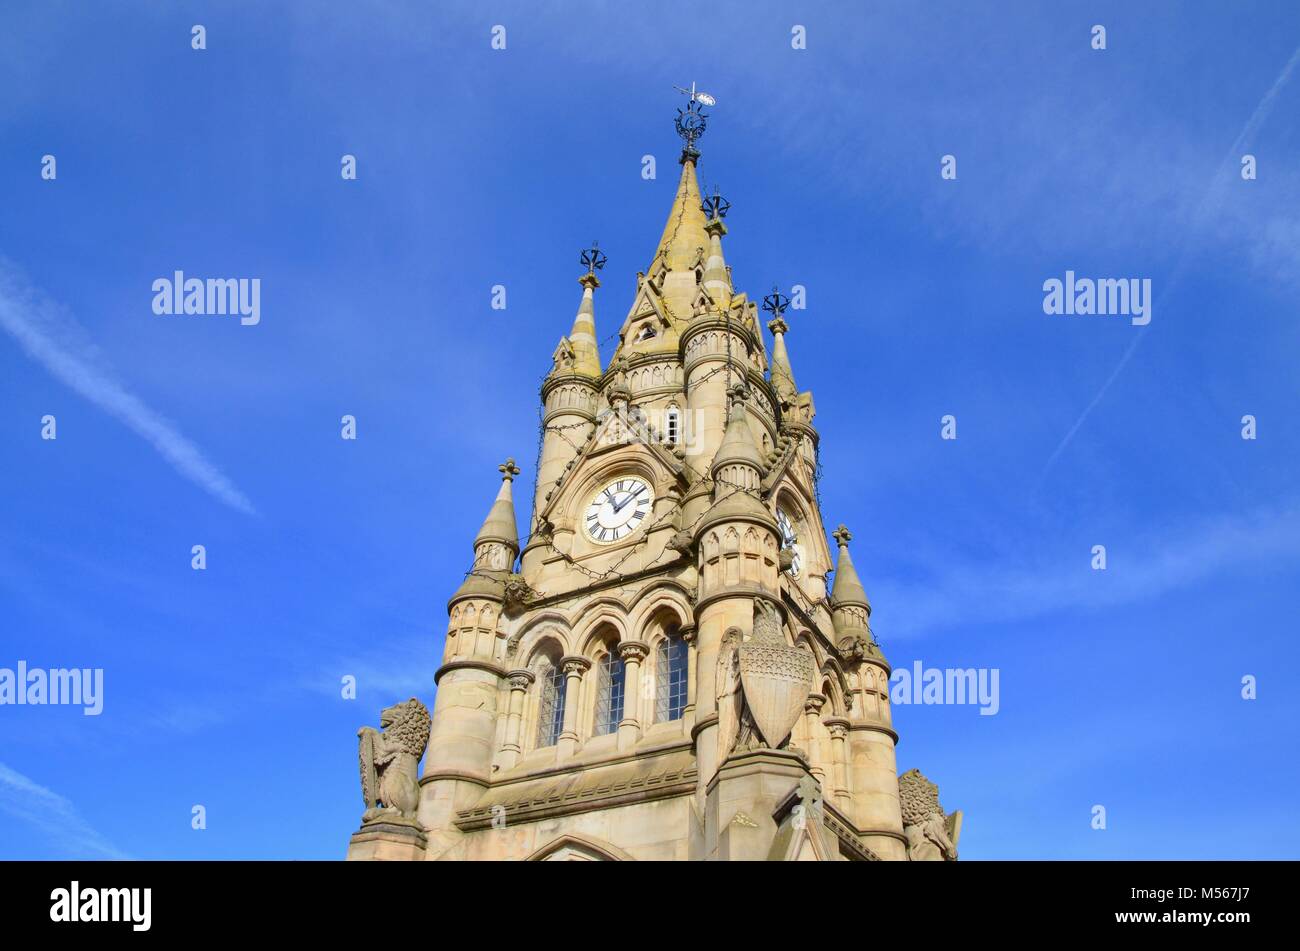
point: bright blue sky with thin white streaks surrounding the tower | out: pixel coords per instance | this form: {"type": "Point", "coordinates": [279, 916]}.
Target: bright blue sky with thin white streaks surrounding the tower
{"type": "Point", "coordinates": [476, 167]}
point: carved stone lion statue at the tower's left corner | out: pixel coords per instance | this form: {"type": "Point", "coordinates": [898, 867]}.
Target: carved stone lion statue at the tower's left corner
{"type": "Point", "coordinates": [389, 761]}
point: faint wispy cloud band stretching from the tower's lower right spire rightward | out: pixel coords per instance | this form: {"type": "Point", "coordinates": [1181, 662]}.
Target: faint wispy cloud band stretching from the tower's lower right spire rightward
{"type": "Point", "coordinates": [1142, 571]}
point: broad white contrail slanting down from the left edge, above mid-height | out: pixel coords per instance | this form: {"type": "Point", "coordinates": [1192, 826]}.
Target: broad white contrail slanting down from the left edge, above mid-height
{"type": "Point", "coordinates": [58, 342]}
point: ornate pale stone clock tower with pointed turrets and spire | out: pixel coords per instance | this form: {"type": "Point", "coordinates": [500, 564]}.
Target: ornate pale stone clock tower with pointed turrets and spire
{"type": "Point", "coordinates": [661, 671]}
